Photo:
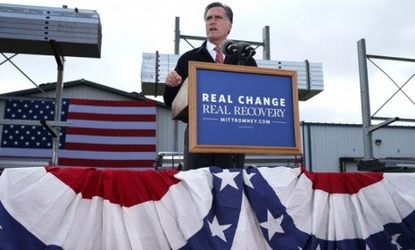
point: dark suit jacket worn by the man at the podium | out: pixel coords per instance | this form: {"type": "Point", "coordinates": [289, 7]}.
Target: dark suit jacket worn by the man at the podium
{"type": "Point", "coordinates": [201, 55]}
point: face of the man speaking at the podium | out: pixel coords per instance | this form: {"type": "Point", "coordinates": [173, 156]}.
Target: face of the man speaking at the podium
{"type": "Point", "coordinates": [217, 24]}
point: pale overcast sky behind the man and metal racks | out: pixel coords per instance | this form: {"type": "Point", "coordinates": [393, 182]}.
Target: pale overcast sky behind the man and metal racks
{"type": "Point", "coordinates": [324, 31]}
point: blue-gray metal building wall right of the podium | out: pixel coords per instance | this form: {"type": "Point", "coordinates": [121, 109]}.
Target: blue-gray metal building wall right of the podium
{"type": "Point", "coordinates": [325, 144]}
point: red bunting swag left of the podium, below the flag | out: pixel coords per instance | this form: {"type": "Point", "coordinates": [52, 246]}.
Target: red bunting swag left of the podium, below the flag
{"type": "Point", "coordinates": [124, 187]}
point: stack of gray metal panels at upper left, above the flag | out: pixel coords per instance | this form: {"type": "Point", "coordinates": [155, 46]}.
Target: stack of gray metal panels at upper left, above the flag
{"type": "Point", "coordinates": [30, 30]}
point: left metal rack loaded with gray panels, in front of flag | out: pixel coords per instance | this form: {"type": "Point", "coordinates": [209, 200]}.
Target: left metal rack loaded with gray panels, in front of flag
{"type": "Point", "coordinates": [49, 31]}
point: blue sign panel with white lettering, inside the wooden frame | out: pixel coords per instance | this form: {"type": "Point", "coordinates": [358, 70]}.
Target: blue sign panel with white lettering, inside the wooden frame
{"type": "Point", "coordinates": [244, 109]}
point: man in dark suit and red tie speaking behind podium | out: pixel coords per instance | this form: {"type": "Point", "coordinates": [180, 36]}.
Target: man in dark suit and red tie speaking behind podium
{"type": "Point", "coordinates": [218, 23]}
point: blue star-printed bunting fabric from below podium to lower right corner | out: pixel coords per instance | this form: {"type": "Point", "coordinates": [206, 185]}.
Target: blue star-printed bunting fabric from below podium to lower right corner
{"type": "Point", "coordinates": [265, 203]}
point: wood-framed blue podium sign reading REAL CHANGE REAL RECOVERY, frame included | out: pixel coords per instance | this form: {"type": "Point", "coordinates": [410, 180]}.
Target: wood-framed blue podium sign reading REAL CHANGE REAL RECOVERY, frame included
{"type": "Point", "coordinates": [241, 109]}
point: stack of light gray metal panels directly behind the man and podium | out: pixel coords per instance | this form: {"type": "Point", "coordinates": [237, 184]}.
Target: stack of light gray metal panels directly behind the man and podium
{"type": "Point", "coordinates": [308, 85]}
